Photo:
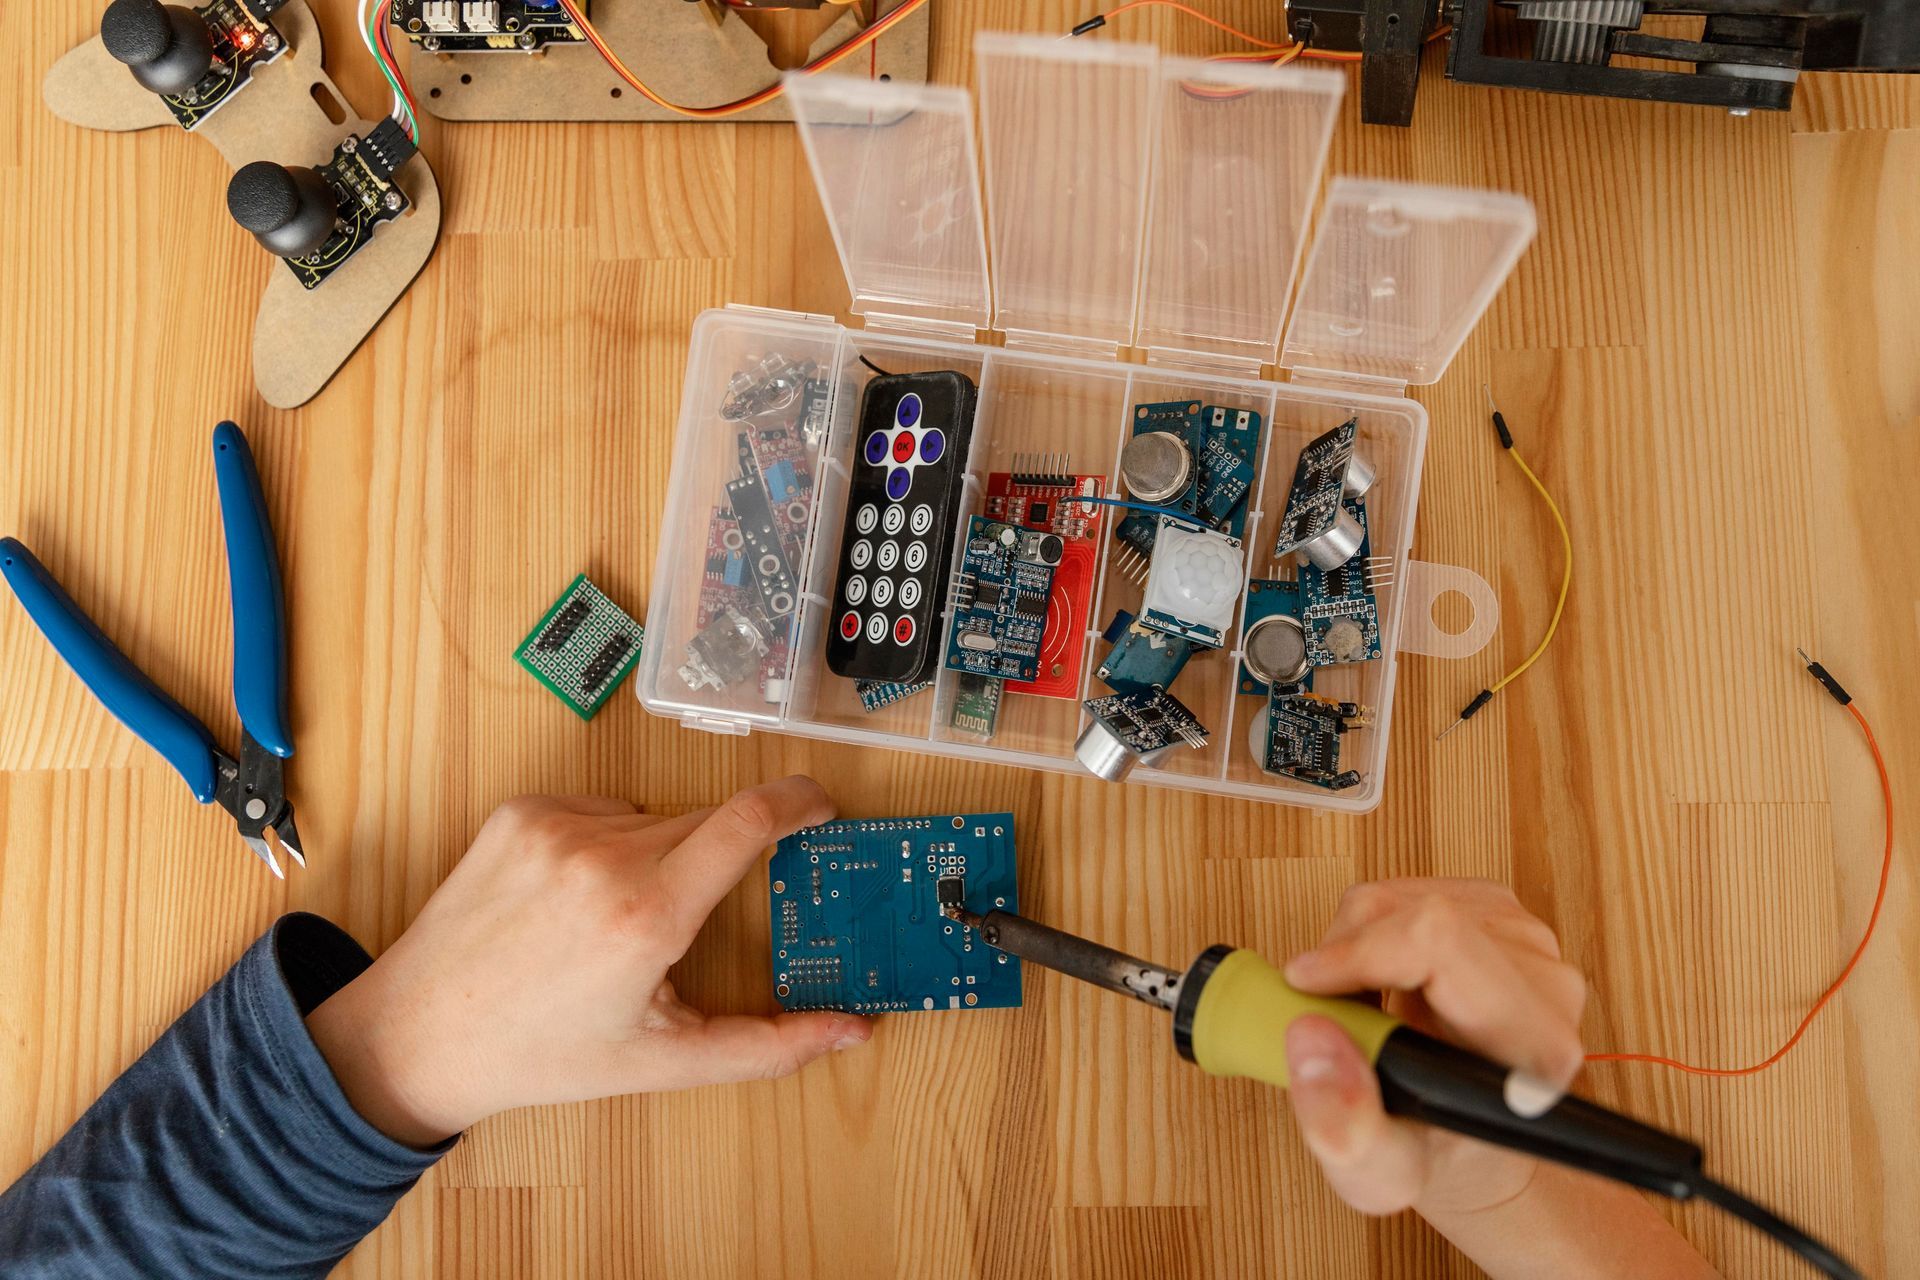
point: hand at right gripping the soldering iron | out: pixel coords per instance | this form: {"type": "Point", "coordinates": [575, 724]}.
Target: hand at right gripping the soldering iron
{"type": "Point", "coordinates": [1460, 960]}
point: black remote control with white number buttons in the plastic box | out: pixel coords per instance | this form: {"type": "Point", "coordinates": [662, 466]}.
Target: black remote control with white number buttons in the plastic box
{"type": "Point", "coordinates": [898, 546]}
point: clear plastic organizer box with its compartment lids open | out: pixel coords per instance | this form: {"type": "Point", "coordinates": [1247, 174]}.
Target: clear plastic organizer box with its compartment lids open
{"type": "Point", "coordinates": [1132, 202]}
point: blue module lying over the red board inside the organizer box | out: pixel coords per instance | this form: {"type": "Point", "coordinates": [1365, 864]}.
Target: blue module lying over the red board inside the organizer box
{"type": "Point", "coordinates": [999, 600]}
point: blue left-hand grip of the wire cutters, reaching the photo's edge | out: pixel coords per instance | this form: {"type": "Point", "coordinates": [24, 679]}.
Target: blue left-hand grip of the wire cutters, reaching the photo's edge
{"type": "Point", "coordinates": [122, 688]}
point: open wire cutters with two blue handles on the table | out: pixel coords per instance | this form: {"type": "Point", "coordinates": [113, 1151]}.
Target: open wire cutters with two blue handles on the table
{"type": "Point", "coordinates": [254, 786]}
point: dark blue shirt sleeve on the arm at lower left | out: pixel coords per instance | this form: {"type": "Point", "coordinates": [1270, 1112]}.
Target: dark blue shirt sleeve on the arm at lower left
{"type": "Point", "coordinates": [228, 1150]}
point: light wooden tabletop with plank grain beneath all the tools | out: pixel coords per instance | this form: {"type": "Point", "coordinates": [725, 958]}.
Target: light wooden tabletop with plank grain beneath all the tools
{"type": "Point", "coordinates": [1712, 352]}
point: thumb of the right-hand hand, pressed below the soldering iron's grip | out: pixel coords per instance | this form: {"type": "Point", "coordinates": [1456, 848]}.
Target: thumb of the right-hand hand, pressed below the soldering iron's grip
{"type": "Point", "coordinates": [1372, 1160]}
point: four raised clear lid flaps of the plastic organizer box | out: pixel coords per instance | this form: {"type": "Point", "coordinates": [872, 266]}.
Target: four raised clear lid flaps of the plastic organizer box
{"type": "Point", "coordinates": [1149, 202]}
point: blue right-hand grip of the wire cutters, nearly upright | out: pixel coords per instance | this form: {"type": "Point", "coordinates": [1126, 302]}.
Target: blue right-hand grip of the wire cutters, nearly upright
{"type": "Point", "coordinates": [256, 594]}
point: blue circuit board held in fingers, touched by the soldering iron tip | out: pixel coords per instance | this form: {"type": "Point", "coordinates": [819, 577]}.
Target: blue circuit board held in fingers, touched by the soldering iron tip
{"type": "Point", "coordinates": [857, 920]}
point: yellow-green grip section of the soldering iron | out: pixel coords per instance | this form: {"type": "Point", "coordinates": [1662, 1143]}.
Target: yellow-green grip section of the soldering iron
{"type": "Point", "coordinates": [1236, 1010]}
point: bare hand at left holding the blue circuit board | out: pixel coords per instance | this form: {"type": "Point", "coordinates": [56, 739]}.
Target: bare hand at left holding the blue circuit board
{"type": "Point", "coordinates": [539, 970]}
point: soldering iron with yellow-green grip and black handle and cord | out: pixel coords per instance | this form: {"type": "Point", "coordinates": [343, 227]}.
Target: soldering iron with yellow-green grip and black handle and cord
{"type": "Point", "coordinates": [1232, 1010]}
